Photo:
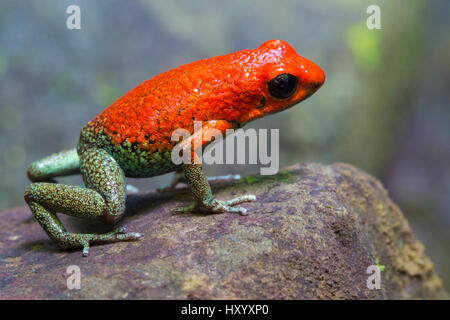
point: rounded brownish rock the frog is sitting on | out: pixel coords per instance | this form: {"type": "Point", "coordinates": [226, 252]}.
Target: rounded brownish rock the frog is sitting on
{"type": "Point", "coordinates": [312, 234]}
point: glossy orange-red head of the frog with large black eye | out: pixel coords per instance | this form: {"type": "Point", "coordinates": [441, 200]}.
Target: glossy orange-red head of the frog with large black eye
{"type": "Point", "coordinates": [284, 78]}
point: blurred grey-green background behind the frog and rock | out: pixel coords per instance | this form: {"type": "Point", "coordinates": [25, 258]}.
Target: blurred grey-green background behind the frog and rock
{"type": "Point", "coordinates": [384, 107]}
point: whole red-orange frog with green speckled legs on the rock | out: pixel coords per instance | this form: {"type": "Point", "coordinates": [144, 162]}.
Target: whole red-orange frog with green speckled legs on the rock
{"type": "Point", "coordinates": [133, 138]}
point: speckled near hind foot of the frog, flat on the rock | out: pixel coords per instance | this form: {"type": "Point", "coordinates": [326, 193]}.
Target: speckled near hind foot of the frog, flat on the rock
{"type": "Point", "coordinates": [76, 240]}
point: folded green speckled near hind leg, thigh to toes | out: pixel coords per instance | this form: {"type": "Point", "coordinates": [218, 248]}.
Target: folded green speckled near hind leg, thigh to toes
{"type": "Point", "coordinates": [103, 198]}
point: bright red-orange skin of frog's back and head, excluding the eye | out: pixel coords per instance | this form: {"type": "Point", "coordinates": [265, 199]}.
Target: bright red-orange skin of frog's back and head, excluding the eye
{"type": "Point", "coordinates": [228, 87]}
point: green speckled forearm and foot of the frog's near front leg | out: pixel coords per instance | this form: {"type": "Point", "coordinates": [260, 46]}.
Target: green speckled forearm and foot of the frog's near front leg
{"type": "Point", "coordinates": [204, 200]}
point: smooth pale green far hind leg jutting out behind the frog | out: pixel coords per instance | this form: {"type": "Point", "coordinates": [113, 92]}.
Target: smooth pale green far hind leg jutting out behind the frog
{"type": "Point", "coordinates": [59, 164]}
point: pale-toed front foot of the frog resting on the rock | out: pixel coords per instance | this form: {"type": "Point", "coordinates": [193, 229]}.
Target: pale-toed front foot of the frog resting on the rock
{"type": "Point", "coordinates": [221, 206]}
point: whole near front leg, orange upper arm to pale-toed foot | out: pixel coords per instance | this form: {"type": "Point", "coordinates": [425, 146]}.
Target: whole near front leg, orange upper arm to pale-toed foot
{"type": "Point", "coordinates": [196, 178]}
